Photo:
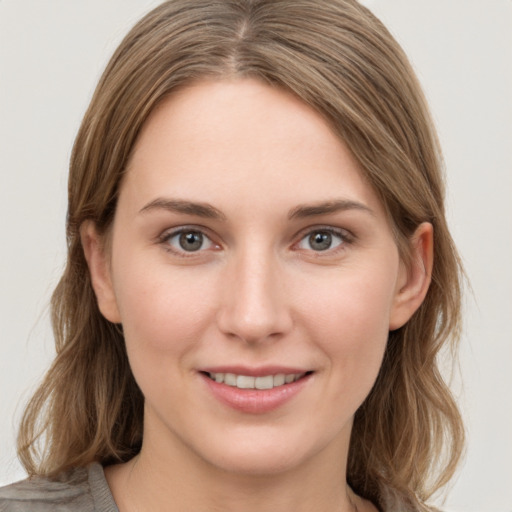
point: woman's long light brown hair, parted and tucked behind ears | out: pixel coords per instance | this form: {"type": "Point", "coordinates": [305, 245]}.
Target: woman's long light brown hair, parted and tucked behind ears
{"type": "Point", "coordinates": [338, 58]}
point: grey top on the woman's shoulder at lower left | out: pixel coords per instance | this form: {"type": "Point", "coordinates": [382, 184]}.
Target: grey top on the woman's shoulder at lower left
{"type": "Point", "coordinates": [77, 490]}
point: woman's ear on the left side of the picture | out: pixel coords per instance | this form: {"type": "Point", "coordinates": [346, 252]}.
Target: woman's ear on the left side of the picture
{"type": "Point", "coordinates": [99, 269]}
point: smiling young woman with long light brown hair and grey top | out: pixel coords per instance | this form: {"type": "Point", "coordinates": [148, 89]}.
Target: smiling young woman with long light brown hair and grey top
{"type": "Point", "coordinates": [251, 311]}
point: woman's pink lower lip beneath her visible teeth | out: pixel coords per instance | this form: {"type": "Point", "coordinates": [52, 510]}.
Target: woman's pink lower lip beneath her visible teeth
{"type": "Point", "coordinates": [255, 401]}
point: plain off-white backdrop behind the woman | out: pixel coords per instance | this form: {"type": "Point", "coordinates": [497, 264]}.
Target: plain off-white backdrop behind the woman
{"type": "Point", "coordinates": [51, 55]}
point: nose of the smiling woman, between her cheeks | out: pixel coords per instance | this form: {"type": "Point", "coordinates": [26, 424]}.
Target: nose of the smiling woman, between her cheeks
{"type": "Point", "coordinates": [255, 305]}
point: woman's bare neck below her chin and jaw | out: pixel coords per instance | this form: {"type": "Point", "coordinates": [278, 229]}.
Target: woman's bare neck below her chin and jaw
{"type": "Point", "coordinates": [170, 476]}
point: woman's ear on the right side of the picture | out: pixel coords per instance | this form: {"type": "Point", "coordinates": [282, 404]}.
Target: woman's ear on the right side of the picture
{"type": "Point", "coordinates": [414, 279]}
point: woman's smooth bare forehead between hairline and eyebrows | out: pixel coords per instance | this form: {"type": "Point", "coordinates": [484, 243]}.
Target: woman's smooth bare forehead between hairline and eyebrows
{"type": "Point", "coordinates": [243, 142]}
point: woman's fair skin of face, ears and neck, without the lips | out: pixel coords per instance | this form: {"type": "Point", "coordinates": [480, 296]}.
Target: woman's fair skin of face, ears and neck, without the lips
{"type": "Point", "coordinates": [258, 292]}
